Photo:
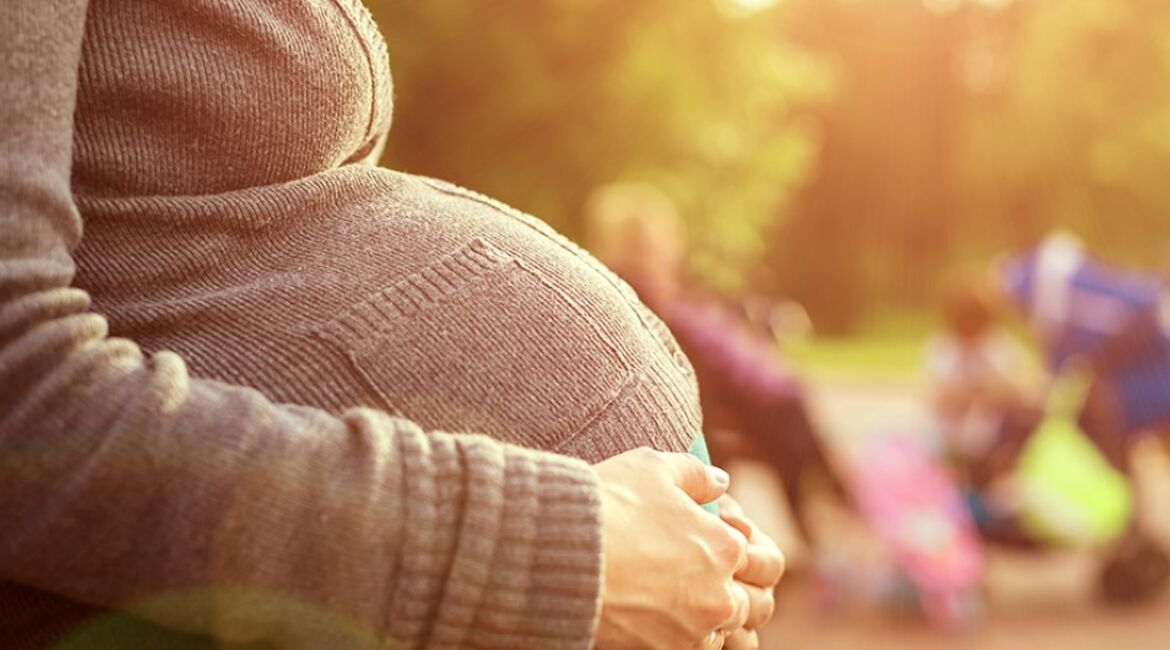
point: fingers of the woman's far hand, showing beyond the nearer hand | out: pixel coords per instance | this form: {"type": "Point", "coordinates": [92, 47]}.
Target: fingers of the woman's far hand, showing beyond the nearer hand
{"type": "Point", "coordinates": [760, 576]}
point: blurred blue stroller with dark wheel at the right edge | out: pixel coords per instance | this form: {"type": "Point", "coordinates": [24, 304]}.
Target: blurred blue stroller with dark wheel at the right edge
{"type": "Point", "coordinates": [1111, 322]}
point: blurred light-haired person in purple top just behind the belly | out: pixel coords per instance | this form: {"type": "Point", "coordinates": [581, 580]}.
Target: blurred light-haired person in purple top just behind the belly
{"type": "Point", "coordinates": [746, 388]}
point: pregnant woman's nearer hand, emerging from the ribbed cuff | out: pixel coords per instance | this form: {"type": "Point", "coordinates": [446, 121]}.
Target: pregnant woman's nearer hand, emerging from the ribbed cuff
{"type": "Point", "coordinates": [669, 564]}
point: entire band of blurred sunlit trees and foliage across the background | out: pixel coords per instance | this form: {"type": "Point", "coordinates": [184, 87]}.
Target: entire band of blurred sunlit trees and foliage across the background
{"type": "Point", "coordinates": [854, 155]}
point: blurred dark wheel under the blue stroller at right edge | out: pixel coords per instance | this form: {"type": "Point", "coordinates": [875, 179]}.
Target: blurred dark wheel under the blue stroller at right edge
{"type": "Point", "coordinates": [1138, 571]}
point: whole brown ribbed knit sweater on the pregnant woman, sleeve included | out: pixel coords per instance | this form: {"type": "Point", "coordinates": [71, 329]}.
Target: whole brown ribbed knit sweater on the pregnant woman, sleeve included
{"type": "Point", "coordinates": [221, 410]}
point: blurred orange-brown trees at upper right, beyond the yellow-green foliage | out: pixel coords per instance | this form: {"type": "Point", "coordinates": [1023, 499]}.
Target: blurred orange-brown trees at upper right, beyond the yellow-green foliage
{"type": "Point", "coordinates": [965, 128]}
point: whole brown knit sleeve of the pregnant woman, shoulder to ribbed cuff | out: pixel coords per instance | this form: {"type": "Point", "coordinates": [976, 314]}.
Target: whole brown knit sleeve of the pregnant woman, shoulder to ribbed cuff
{"type": "Point", "coordinates": [125, 482]}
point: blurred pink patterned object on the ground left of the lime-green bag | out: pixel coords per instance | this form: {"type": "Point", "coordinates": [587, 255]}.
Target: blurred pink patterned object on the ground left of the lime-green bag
{"type": "Point", "coordinates": [917, 509]}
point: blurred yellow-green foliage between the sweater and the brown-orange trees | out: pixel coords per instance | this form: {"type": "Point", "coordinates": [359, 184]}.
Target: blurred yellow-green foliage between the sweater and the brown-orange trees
{"type": "Point", "coordinates": [541, 102]}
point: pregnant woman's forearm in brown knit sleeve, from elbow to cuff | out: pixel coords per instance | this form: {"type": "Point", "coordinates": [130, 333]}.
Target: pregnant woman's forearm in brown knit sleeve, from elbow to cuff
{"type": "Point", "coordinates": [210, 510]}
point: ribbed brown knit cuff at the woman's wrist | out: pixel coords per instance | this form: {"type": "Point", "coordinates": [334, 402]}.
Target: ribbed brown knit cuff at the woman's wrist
{"type": "Point", "coordinates": [542, 584]}
